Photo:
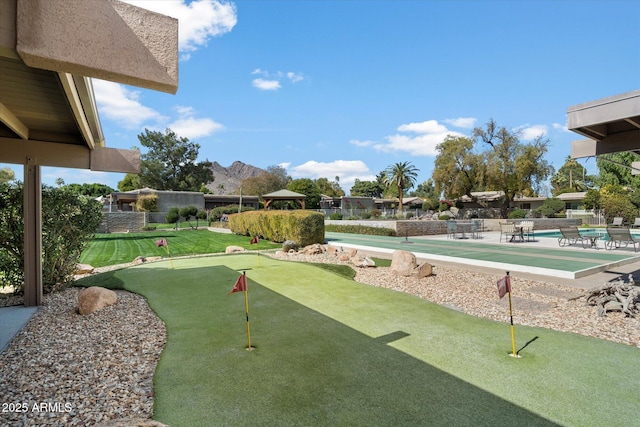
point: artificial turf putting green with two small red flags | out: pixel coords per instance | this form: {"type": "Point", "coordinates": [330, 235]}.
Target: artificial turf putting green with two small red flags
{"type": "Point", "coordinates": [330, 351]}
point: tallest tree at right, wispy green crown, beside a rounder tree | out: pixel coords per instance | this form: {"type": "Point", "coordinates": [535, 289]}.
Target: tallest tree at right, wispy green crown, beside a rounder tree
{"type": "Point", "coordinates": [513, 167]}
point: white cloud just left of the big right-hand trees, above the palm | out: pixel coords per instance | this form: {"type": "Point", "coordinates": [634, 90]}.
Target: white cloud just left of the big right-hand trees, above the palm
{"type": "Point", "coordinates": [431, 133]}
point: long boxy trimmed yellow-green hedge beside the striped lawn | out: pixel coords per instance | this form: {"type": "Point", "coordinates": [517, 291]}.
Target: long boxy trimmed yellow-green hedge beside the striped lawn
{"type": "Point", "coordinates": [305, 227]}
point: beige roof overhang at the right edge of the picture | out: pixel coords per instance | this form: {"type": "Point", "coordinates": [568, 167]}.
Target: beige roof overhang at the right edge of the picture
{"type": "Point", "coordinates": [612, 125]}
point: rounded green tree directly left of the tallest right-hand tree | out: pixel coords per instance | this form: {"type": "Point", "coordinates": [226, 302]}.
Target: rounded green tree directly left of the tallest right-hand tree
{"type": "Point", "coordinates": [457, 169]}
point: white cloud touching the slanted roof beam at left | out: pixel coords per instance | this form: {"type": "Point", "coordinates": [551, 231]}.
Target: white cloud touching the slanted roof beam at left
{"type": "Point", "coordinates": [116, 102]}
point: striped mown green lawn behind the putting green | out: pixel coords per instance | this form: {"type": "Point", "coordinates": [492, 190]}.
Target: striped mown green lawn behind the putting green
{"type": "Point", "coordinates": [121, 248]}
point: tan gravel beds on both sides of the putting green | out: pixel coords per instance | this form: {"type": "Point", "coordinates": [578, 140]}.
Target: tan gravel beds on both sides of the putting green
{"type": "Point", "coordinates": [95, 368]}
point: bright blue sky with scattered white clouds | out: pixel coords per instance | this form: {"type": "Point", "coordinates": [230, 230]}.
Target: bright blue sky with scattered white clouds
{"type": "Point", "coordinates": [347, 88]}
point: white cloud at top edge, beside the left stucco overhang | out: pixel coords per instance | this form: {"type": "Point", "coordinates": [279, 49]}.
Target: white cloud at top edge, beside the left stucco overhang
{"type": "Point", "coordinates": [198, 21]}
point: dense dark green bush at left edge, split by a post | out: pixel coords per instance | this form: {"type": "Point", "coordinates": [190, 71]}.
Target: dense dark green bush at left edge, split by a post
{"type": "Point", "coordinates": [69, 221]}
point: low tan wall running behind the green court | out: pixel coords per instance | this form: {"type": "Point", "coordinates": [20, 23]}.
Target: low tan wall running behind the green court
{"type": "Point", "coordinates": [428, 227]}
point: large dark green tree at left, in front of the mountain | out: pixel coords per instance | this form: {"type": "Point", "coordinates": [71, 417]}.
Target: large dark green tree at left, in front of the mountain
{"type": "Point", "coordinates": [171, 163]}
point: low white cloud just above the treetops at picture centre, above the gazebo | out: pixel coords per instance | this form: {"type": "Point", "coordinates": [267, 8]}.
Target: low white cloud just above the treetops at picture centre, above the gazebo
{"type": "Point", "coordinates": [346, 170]}
